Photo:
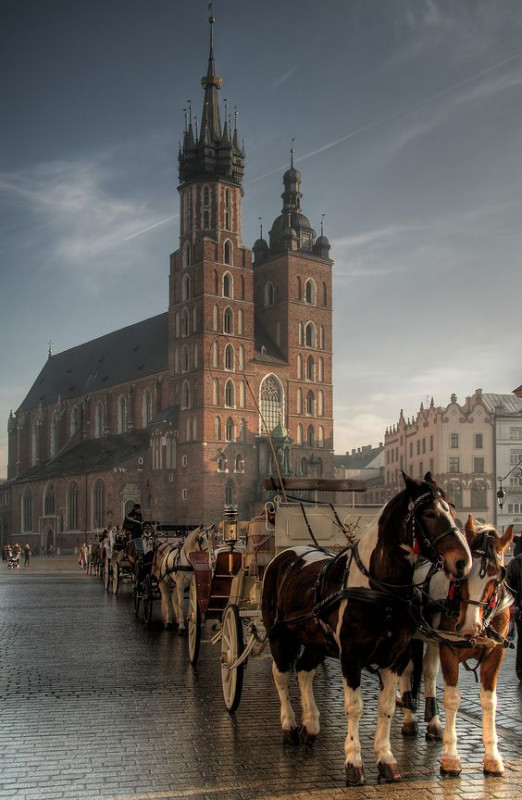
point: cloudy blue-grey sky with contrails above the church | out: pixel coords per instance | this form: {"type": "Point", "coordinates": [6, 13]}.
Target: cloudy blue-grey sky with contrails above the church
{"type": "Point", "coordinates": [405, 119]}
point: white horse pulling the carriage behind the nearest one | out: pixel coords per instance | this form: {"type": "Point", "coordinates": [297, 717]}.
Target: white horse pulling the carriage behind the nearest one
{"type": "Point", "coordinates": [172, 570]}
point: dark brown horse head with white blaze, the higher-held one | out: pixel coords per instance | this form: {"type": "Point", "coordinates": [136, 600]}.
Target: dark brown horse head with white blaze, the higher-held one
{"type": "Point", "coordinates": [430, 520]}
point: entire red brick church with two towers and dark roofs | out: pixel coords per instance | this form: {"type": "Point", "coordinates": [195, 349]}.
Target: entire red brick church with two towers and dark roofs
{"type": "Point", "coordinates": [187, 411]}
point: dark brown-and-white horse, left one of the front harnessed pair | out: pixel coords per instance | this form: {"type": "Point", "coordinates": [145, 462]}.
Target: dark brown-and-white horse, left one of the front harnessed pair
{"type": "Point", "coordinates": [359, 606]}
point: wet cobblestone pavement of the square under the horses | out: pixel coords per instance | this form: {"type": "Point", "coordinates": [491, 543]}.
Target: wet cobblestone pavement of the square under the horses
{"type": "Point", "coordinates": [96, 705]}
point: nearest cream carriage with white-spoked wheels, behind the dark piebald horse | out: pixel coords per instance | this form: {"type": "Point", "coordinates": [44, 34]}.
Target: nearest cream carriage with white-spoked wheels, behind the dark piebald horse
{"type": "Point", "coordinates": [227, 586]}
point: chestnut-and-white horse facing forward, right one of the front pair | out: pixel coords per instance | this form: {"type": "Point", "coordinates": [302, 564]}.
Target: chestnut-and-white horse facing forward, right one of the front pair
{"type": "Point", "coordinates": [471, 618]}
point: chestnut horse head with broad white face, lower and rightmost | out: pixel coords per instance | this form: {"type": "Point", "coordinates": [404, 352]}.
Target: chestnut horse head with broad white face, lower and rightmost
{"type": "Point", "coordinates": [476, 599]}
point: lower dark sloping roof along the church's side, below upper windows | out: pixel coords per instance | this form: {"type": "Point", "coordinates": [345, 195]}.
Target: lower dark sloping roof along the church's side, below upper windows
{"type": "Point", "coordinates": [91, 455]}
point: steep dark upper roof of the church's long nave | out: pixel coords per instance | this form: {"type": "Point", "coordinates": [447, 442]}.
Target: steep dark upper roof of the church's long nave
{"type": "Point", "coordinates": [124, 355]}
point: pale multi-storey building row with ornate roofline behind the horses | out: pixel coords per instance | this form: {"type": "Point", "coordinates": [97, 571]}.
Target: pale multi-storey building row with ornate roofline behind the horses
{"type": "Point", "coordinates": [462, 446]}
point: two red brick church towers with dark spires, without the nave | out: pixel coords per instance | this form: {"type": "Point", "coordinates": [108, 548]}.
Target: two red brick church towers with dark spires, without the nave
{"type": "Point", "coordinates": [250, 345]}
